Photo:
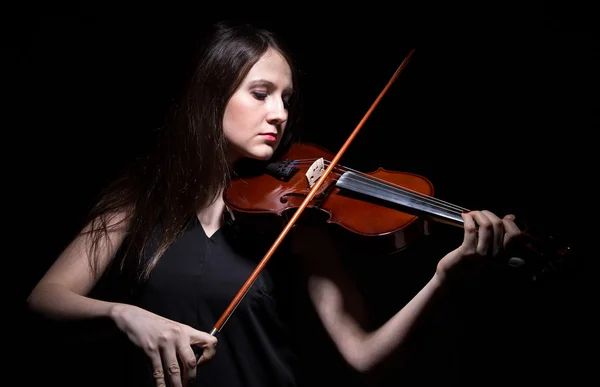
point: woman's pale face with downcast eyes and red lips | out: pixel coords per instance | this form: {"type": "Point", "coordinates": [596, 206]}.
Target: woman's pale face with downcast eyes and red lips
{"type": "Point", "coordinates": [256, 115]}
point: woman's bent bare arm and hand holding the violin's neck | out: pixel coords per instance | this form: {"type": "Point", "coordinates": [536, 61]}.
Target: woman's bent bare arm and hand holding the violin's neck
{"type": "Point", "coordinates": [340, 307]}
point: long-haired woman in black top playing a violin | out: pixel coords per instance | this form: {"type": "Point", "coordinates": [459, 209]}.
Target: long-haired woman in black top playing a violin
{"type": "Point", "coordinates": [163, 229]}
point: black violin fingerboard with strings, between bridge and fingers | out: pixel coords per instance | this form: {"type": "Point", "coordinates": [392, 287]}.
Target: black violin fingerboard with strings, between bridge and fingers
{"type": "Point", "coordinates": [407, 200]}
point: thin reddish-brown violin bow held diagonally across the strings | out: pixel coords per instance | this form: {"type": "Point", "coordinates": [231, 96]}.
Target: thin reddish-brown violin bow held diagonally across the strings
{"type": "Point", "coordinates": [252, 278]}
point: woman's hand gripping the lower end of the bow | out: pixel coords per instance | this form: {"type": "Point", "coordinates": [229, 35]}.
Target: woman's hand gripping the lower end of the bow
{"type": "Point", "coordinates": [165, 342]}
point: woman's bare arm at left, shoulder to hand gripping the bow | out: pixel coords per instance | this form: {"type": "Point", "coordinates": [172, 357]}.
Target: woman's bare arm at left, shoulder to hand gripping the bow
{"type": "Point", "coordinates": [62, 295]}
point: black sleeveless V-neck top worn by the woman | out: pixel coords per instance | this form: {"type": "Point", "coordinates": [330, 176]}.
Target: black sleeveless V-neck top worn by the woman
{"type": "Point", "coordinates": [194, 282]}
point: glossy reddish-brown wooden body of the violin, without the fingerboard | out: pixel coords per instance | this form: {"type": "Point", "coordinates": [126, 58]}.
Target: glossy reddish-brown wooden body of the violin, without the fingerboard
{"type": "Point", "coordinates": [284, 189]}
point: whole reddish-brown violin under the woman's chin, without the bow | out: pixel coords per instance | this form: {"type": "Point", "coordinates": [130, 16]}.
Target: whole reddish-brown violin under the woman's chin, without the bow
{"type": "Point", "coordinates": [387, 210]}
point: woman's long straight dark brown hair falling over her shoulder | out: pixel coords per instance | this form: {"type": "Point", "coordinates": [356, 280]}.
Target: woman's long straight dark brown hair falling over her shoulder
{"type": "Point", "coordinates": [186, 170]}
